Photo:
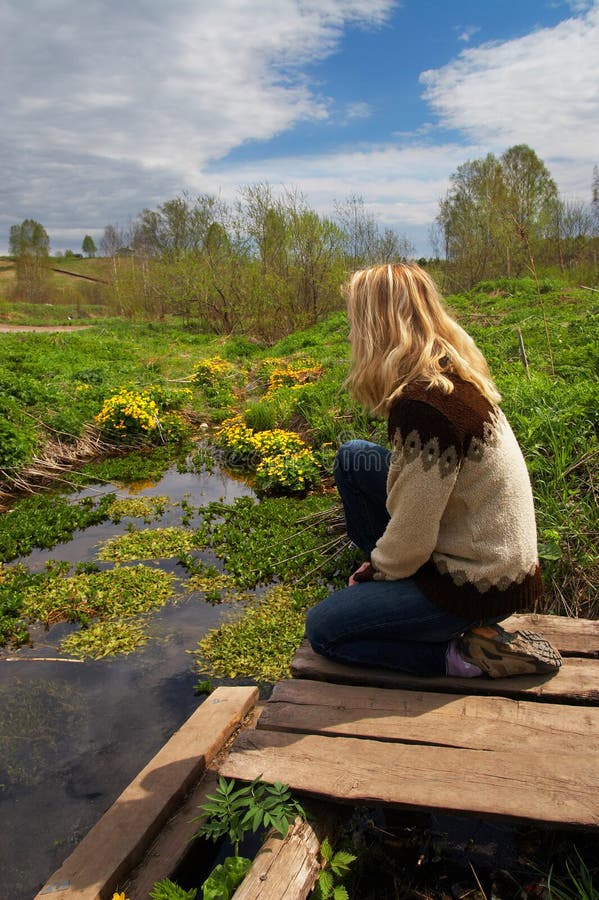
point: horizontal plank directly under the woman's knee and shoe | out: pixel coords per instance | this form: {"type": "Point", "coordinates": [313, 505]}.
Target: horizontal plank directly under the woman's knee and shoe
{"type": "Point", "coordinates": [576, 682]}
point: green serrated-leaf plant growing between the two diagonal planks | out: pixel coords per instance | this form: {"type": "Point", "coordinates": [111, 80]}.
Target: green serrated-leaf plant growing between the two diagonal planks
{"type": "Point", "coordinates": [233, 812]}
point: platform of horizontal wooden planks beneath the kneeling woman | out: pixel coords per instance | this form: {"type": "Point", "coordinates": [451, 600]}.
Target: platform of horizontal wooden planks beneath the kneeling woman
{"type": "Point", "coordinates": [525, 748]}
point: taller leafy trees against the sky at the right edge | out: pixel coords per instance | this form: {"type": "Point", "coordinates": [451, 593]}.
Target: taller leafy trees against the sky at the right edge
{"type": "Point", "coordinates": [503, 216]}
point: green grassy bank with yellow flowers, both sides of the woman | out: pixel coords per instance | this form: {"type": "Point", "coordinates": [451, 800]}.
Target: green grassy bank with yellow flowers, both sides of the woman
{"type": "Point", "coordinates": [277, 414]}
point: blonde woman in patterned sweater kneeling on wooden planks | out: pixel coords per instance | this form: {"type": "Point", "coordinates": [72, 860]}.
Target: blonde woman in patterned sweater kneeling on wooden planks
{"type": "Point", "coordinates": [446, 518]}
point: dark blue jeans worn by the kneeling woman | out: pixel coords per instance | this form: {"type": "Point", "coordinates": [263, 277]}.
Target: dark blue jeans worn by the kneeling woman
{"type": "Point", "coordinates": [378, 623]}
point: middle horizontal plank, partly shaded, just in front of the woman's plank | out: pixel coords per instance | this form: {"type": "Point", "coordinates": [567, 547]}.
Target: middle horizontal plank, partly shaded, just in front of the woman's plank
{"type": "Point", "coordinates": [476, 723]}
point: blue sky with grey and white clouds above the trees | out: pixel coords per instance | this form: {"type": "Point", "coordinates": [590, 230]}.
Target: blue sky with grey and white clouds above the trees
{"type": "Point", "coordinates": [110, 107]}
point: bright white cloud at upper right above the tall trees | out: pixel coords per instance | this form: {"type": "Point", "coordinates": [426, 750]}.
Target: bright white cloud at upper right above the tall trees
{"type": "Point", "coordinates": [541, 89]}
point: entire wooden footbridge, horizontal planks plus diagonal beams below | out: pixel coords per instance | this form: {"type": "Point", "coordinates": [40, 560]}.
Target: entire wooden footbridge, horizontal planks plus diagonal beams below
{"type": "Point", "coordinates": [521, 749]}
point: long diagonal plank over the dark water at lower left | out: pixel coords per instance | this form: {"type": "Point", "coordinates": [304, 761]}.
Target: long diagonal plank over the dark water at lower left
{"type": "Point", "coordinates": [118, 841]}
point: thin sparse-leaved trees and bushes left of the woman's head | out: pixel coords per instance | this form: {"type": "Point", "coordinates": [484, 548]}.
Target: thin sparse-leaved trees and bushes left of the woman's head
{"type": "Point", "coordinates": [265, 265]}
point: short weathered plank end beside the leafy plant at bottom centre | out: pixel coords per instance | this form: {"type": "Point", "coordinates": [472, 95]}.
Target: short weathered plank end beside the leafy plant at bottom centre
{"type": "Point", "coordinates": [288, 867]}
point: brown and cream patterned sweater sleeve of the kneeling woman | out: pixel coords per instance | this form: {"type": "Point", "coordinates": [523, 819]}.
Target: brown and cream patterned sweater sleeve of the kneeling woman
{"type": "Point", "coordinates": [425, 461]}
